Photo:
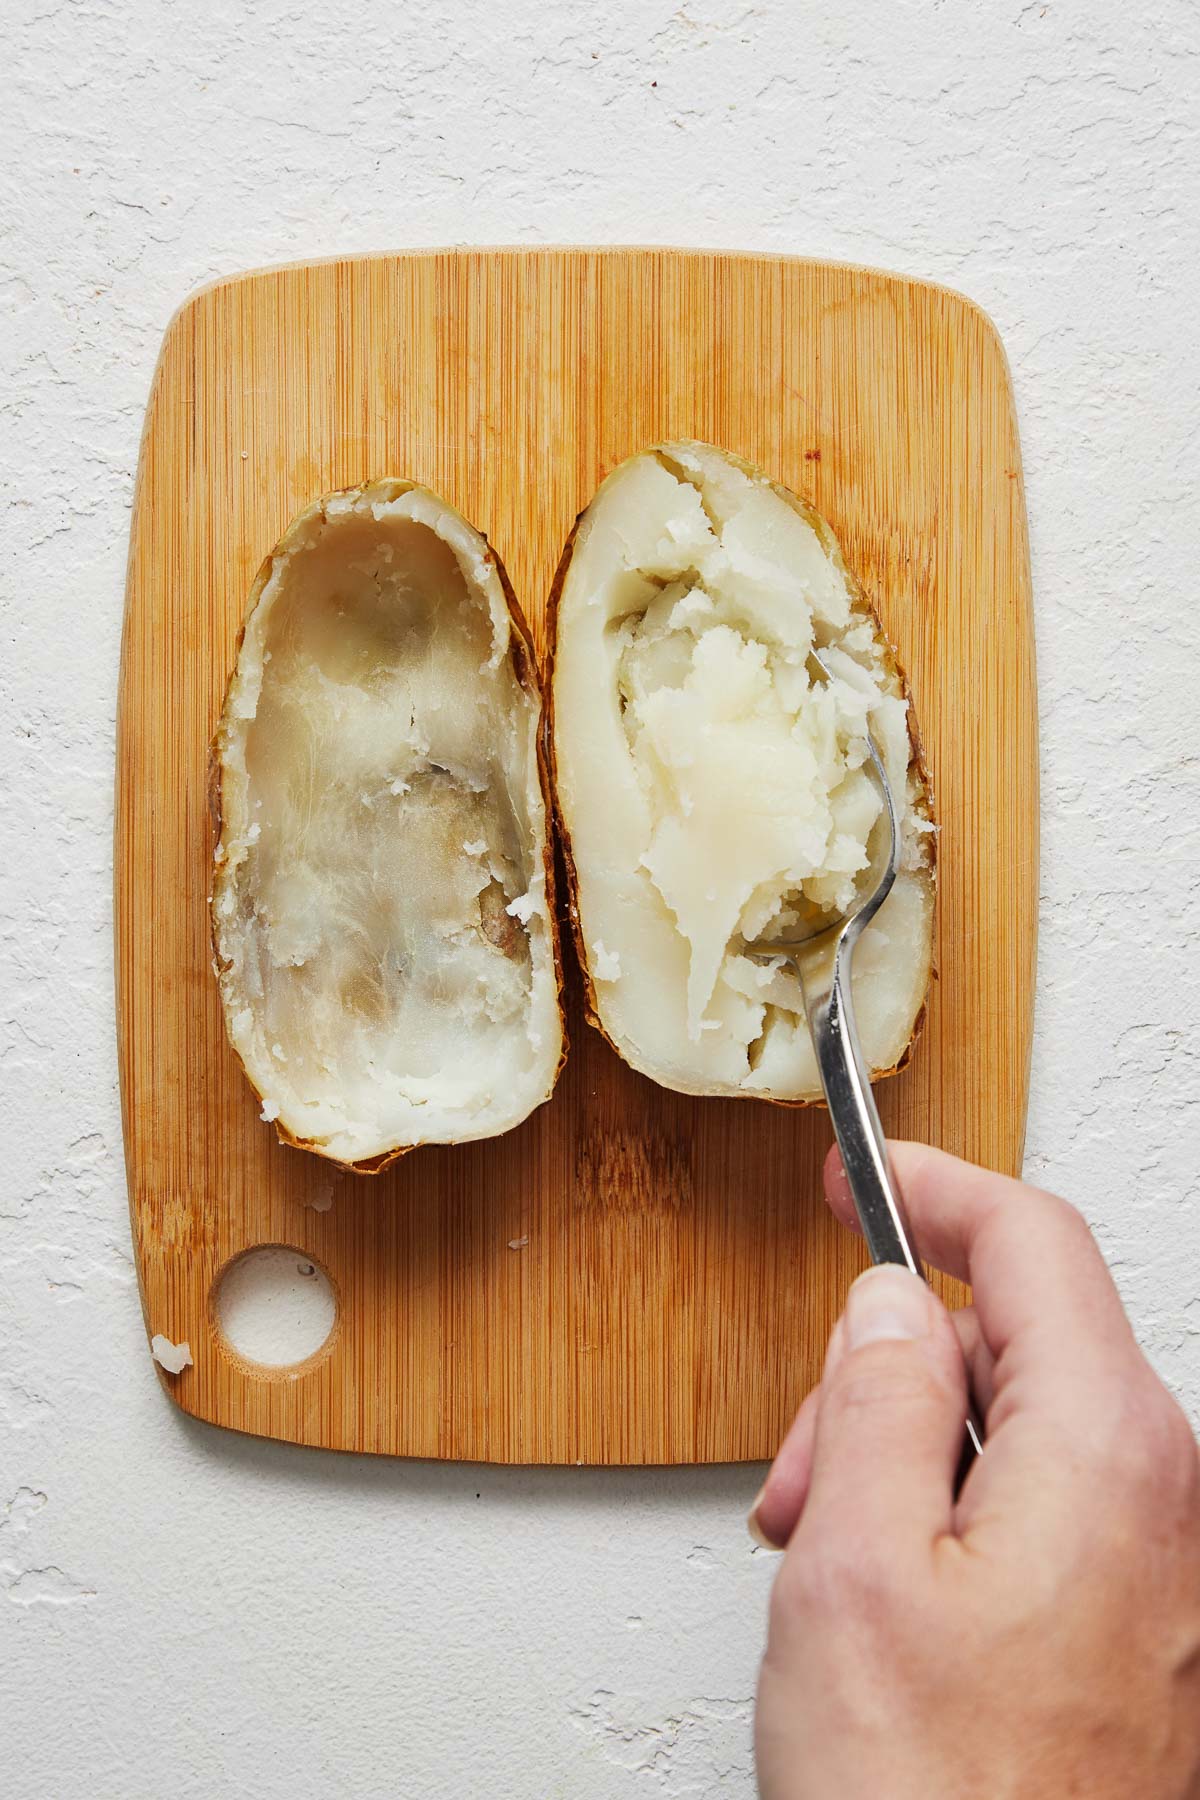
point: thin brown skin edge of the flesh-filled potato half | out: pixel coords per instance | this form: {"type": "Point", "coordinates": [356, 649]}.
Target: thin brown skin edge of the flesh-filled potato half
{"type": "Point", "coordinates": [864, 606]}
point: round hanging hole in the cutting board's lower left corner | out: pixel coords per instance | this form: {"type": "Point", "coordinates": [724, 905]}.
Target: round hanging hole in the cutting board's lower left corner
{"type": "Point", "coordinates": [274, 1308]}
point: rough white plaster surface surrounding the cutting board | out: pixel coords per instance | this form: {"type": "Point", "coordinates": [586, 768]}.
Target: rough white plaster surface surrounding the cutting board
{"type": "Point", "coordinates": [188, 1614]}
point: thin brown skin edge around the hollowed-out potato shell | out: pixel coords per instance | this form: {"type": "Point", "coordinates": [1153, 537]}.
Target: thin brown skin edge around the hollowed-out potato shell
{"type": "Point", "coordinates": [526, 670]}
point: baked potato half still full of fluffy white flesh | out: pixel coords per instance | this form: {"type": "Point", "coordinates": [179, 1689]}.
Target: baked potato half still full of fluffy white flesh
{"type": "Point", "coordinates": [712, 784]}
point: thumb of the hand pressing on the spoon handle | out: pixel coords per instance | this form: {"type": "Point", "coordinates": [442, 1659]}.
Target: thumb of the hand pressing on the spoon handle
{"type": "Point", "coordinates": [890, 1428]}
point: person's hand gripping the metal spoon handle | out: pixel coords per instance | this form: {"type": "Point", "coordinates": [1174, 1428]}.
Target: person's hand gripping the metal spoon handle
{"type": "Point", "coordinates": [1041, 1635]}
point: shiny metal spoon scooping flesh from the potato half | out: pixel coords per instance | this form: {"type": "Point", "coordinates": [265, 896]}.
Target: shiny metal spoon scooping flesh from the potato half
{"type": "Point", "coordinates": [821, 960]}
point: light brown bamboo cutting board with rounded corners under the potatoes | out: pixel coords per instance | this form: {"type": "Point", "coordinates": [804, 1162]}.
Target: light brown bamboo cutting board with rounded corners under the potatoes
{"type": "Point", "coordinates": [676, 1273]}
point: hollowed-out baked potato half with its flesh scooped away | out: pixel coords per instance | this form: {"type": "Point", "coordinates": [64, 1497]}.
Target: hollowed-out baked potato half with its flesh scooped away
{"type": "Point", "coordinates": [382, 908]}
